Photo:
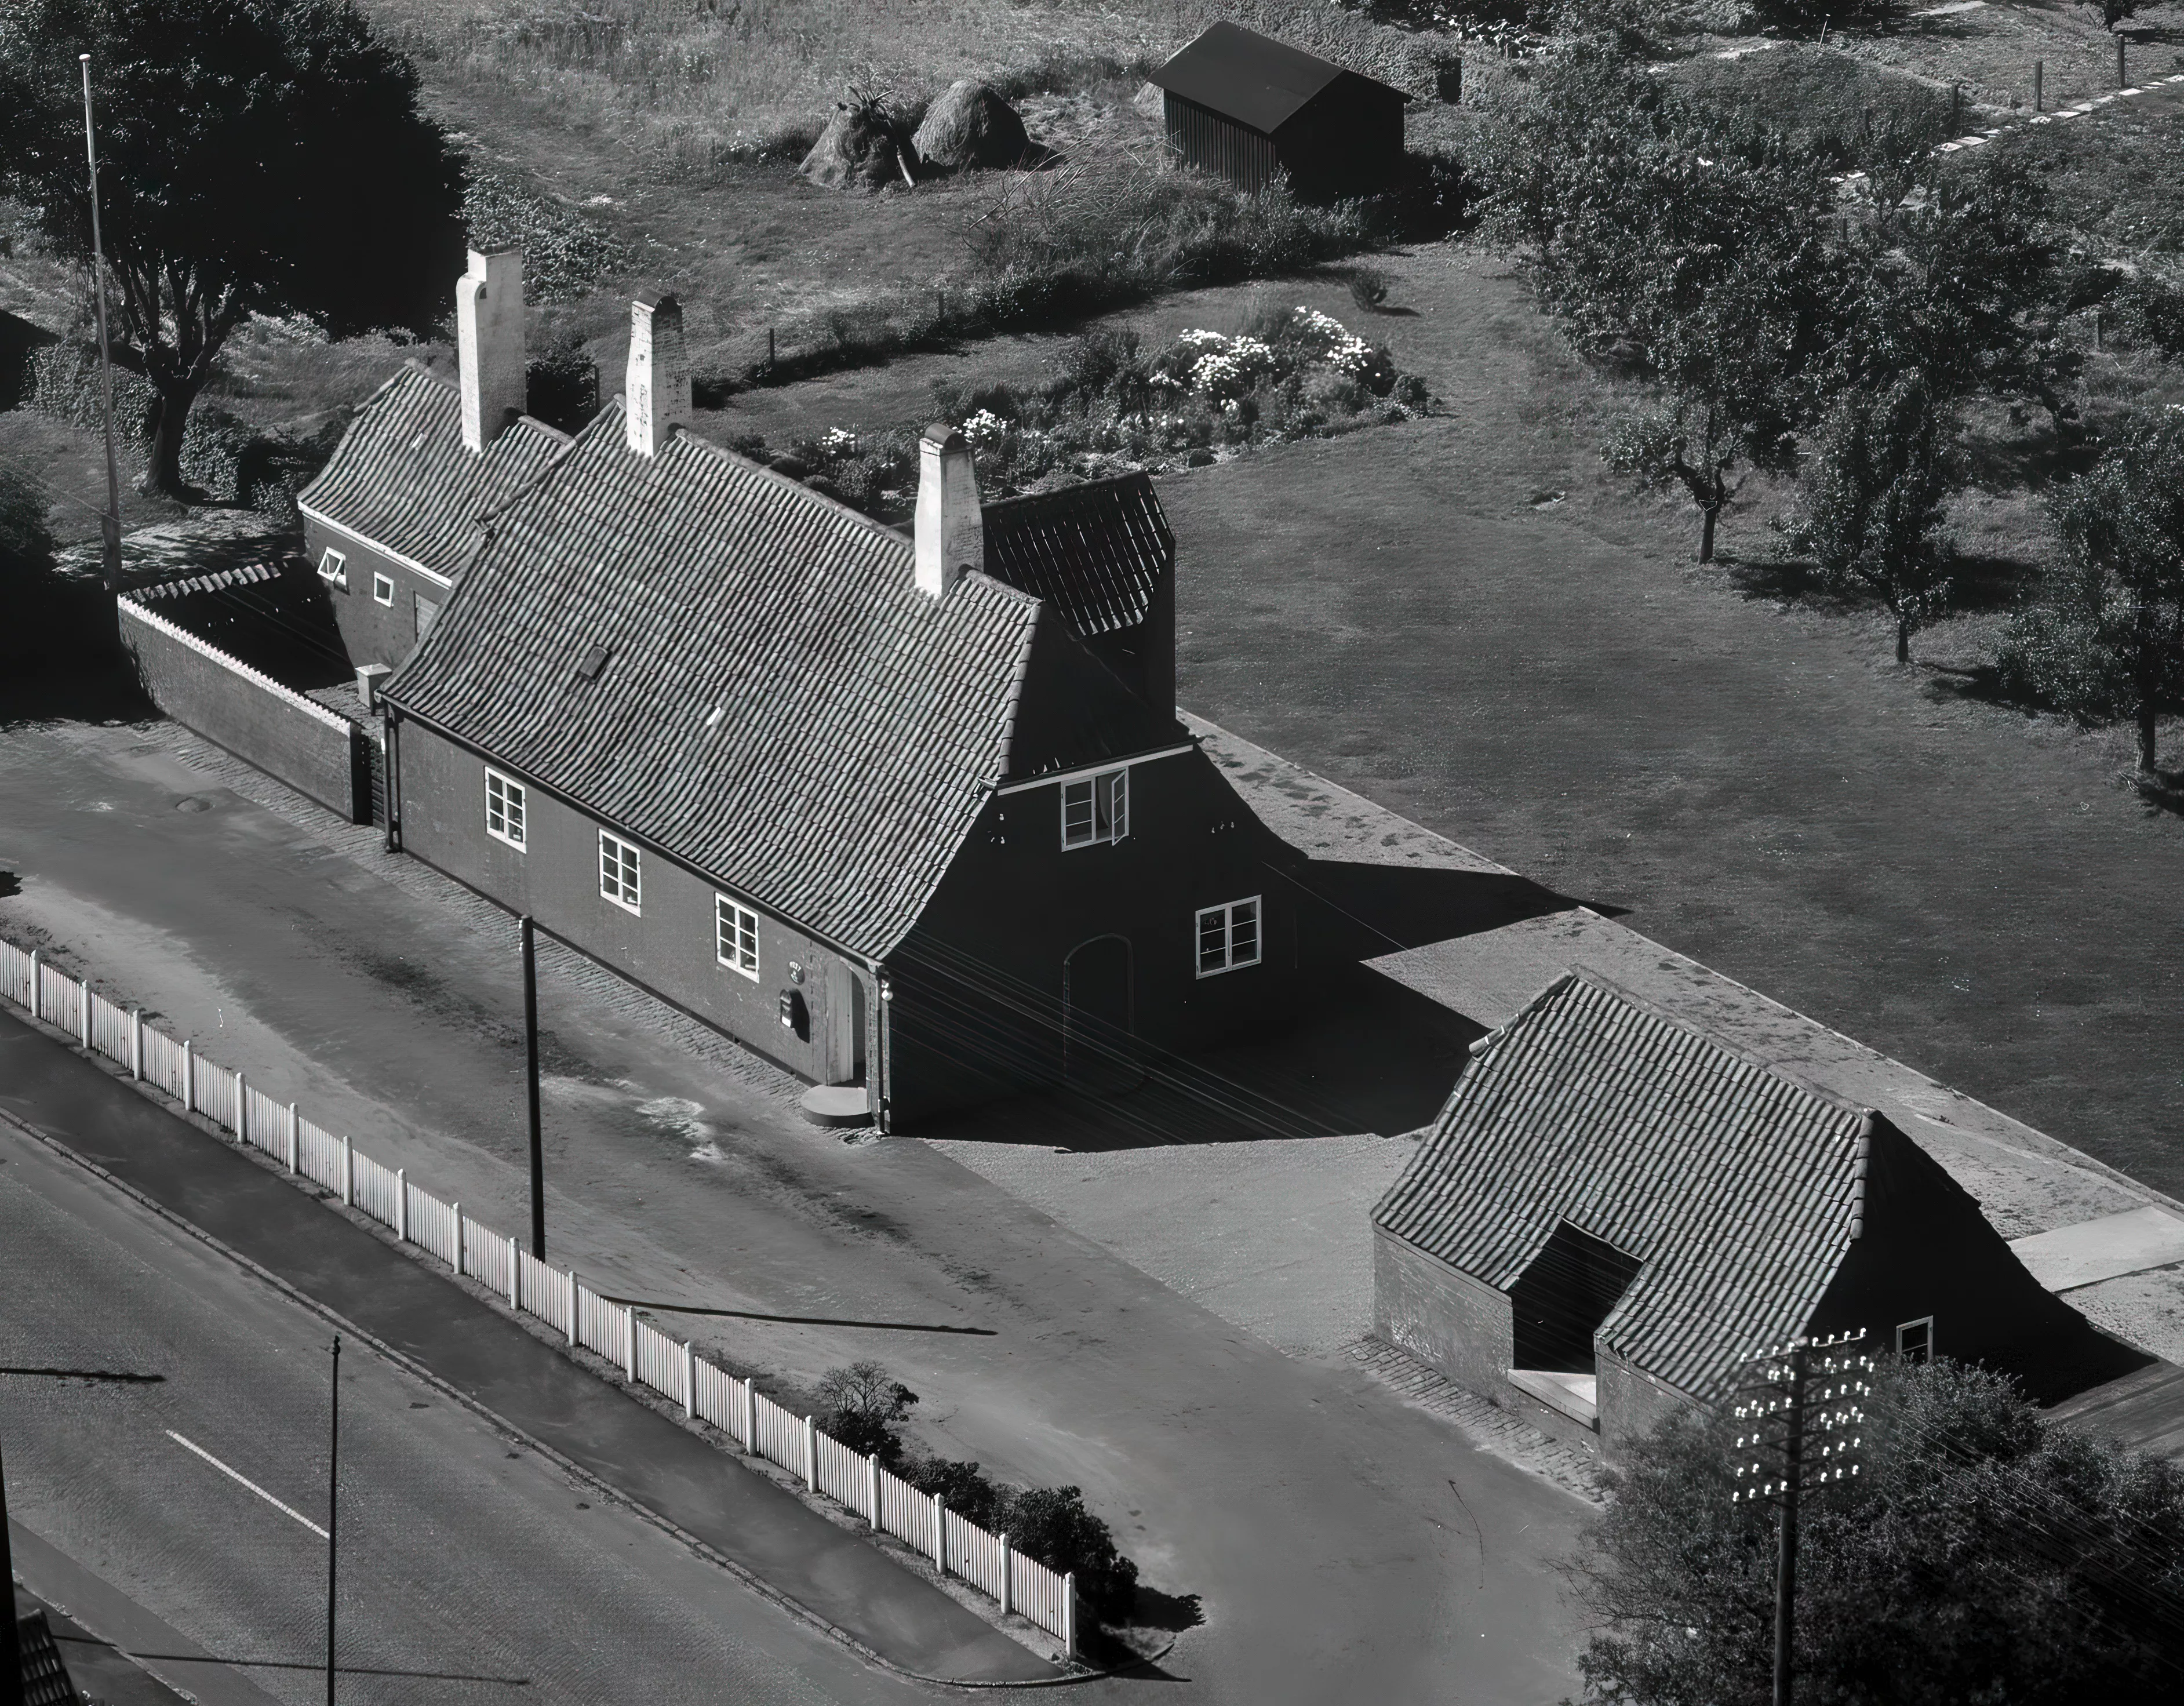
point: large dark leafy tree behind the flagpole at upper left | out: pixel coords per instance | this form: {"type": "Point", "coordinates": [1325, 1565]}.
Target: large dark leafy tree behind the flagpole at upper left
{"type": "Point", "coordinates": [257, 158]}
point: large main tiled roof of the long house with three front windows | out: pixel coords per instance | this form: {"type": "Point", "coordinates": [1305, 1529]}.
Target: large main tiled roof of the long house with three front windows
{"type": "Point", "coordinates": [779, 704]}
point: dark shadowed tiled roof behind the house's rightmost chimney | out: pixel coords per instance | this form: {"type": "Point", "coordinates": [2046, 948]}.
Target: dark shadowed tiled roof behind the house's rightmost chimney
{"type": "Point", "coordinates": [1095, 552]}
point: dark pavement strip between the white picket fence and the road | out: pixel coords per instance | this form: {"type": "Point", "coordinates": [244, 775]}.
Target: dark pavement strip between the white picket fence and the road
{"type": "Point", "coordinates": [501, 1366]}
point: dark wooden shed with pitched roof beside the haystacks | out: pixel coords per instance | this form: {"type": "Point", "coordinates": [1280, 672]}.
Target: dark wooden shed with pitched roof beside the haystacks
{"type": "Point", "coordinates": [1253, 108]}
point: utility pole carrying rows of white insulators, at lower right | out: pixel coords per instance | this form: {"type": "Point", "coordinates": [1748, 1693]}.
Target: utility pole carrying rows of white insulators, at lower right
{"type": "Point", "coordinates": [1805, 1436]}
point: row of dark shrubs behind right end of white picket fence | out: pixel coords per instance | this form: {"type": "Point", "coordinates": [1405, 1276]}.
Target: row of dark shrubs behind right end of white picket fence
{"type": "Point", "coordinates": [866, 1412]}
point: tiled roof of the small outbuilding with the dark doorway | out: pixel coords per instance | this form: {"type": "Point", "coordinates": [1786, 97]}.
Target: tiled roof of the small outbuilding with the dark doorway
{"type": "Point", "coordinates": [1735, 1187]}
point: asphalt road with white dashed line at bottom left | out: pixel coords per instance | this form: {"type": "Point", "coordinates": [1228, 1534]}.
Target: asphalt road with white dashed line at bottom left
{"type": "Point", "coordinates": [471, 1569]}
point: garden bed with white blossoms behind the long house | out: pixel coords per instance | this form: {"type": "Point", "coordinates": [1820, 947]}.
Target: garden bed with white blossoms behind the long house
{"type": "Point", "coordinates": [1115, 407]}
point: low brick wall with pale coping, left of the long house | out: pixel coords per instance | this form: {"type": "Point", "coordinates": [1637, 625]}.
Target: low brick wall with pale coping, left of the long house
{"type": "Point", "coordinates": [250, 715]}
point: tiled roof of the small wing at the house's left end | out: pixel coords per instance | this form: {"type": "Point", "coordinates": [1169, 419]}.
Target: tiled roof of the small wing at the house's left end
{"type": "Point", "coordinates": [403, 477]}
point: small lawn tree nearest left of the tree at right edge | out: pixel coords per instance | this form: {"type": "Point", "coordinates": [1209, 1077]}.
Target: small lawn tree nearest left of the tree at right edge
{"type": "Point", "coordinates": [1875, 497]}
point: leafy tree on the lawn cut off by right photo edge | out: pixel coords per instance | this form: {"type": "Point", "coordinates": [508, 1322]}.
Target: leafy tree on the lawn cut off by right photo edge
{"type": "Point", "coordinates": [2106, 637]}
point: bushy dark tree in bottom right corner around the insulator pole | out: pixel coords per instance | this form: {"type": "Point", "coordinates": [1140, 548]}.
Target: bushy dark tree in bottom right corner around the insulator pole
{"type": "Point", "coordinates": [1982, 1556]}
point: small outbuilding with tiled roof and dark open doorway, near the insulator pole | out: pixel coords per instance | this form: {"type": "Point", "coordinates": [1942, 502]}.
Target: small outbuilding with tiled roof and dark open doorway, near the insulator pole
{"type": "Point", "coordinates": [1617, 1213]}
